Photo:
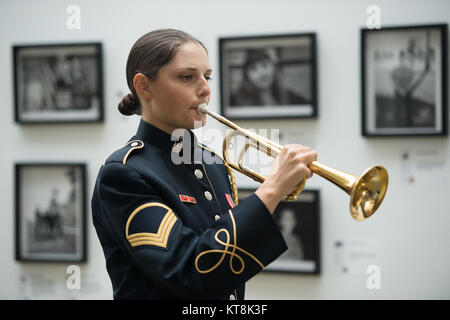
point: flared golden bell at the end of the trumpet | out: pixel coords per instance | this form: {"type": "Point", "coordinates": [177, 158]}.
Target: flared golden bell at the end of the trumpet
{"type": "Point", "coordinates": [368, 192]}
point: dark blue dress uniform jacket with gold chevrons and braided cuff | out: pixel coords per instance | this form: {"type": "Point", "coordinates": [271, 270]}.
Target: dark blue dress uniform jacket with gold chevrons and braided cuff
{"type": "Point", "coordinates": [170, 230]}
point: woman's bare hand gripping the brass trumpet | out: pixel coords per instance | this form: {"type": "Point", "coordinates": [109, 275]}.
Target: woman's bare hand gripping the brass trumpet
{"type": "Point", "coordinates": [287, 171]}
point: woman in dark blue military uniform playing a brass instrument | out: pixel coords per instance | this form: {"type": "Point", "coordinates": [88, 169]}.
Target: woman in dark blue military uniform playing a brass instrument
{"type": "Point", "coordinates": [172, 231]}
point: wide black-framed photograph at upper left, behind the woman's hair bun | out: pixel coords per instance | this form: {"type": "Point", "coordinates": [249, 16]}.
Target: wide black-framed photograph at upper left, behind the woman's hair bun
{"type": "Point", "coordinates": [58, 83]}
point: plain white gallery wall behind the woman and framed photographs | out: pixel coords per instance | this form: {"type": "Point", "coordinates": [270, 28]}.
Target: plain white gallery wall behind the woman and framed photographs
{"type": "Point", "coordinates": [408, 237]}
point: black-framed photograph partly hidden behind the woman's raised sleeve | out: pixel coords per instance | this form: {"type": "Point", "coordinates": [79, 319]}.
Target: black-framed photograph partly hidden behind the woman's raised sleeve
{"type": "Point", "coordinates": [299, 223]}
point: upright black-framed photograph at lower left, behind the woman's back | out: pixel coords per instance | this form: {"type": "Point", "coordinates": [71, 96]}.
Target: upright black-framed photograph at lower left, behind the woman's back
{"type": "Point", "coordinates": [50, 212]}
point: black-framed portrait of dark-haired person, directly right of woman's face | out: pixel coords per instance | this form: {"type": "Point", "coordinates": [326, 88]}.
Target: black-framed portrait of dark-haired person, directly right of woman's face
{"type": "Point", "coordinates": [271, 76]}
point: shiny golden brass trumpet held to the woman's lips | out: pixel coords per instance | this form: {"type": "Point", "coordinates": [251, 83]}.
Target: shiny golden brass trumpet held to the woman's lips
{"type": "Point", "coordinates": [366, 191]}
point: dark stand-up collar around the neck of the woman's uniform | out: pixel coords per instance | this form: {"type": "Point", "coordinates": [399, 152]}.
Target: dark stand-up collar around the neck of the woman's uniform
{"type": "Point", "coordinates": [160, 138]}
